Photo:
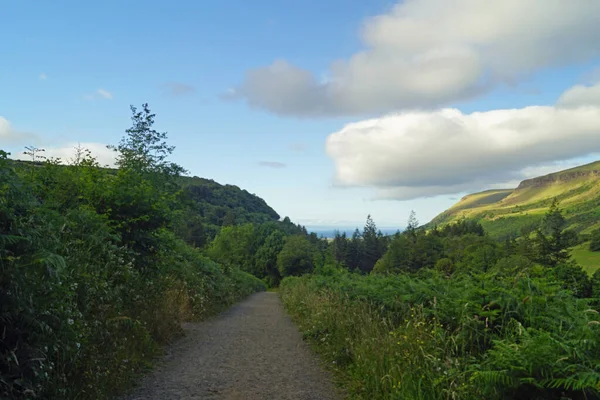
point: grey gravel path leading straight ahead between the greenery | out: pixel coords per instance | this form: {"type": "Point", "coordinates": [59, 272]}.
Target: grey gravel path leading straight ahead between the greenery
{"type": "Point", "coordinates": [251, 352]}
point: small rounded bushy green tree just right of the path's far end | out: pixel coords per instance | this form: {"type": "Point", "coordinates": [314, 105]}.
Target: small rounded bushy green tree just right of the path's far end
{"type": "Point", "coordinates": [296, 258]}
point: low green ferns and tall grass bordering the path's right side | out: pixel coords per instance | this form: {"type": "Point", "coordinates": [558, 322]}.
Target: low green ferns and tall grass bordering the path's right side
{"type": "Point", "coordinates": [430, 337]}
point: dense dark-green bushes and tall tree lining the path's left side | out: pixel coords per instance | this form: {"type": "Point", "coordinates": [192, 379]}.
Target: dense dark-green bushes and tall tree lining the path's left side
{"type": "Point", "coordinates": [93, 277]}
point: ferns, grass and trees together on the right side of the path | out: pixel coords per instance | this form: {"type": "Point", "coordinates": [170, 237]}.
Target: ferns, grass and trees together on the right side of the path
{"type": "Point", "coordinates": [453, 314]}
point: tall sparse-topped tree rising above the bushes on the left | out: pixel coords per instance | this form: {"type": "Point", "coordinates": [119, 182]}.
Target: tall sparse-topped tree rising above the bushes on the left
{"type": "Point", "coordinates": [143, 196]}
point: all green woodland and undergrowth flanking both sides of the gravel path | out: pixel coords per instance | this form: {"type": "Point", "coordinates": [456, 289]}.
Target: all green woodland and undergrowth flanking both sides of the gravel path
{"type": "Point", "coordinates": [99, 267]}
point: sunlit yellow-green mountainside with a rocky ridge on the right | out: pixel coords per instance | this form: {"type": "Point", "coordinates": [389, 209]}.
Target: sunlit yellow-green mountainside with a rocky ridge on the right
{"type": "Point", "coordinates": [504, 212]}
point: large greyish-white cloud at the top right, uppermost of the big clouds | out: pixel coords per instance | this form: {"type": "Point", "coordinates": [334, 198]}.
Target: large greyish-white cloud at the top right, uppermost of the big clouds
{"type": "Point", "coordinates": [428, 53]}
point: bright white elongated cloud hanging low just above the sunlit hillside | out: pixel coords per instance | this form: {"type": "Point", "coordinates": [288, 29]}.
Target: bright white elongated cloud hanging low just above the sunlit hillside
{"type": "Point", "coordinates": [416, 154]}
